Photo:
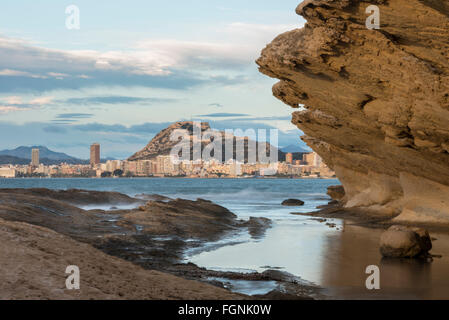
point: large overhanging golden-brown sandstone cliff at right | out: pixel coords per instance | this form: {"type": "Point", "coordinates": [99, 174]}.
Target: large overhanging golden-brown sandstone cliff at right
{"type": "Point", "coordinates": [373, 103]}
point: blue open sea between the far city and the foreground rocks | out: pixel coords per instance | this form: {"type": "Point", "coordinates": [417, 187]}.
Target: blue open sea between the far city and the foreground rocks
{"type": "Point", "coordinates": [245, 197]}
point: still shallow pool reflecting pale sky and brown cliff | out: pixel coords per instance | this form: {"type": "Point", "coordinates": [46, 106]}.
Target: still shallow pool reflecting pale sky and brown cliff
{"type": "Point", "coordinates": [337, 260]}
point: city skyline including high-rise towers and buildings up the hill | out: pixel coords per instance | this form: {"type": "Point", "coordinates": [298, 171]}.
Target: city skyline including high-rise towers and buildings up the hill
{"type": "Point", "coordinates": [300, 164]}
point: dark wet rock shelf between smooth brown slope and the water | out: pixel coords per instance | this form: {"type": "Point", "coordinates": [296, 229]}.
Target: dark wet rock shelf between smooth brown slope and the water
{"type": "Point", "coordinates": [137, 236]}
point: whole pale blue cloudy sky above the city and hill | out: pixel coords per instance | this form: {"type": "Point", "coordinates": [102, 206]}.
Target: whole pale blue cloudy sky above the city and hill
{"type": "Point", "coordinates": [134, 67]}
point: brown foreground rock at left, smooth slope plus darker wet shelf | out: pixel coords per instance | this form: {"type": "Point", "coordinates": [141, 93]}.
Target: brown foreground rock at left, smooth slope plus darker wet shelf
{"type": "Point", "coordinates": [42, 232]}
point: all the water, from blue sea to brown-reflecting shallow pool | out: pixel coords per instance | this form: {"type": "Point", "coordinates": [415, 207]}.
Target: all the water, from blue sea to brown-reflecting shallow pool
{"type": "Point", "coordinates": [334, 254]}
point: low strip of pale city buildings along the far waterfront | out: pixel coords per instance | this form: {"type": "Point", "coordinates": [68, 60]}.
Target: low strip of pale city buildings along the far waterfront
{"type": "Point", "coordinates": [311, 166]}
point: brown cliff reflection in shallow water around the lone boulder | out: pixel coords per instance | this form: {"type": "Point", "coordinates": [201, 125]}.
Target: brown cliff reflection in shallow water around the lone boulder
{"type": "Point", "coordinates": [351, 251]}
